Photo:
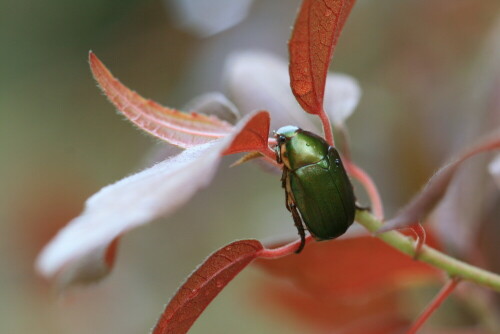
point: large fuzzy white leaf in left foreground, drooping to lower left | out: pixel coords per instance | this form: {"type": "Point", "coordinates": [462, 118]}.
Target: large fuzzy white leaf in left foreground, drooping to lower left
{"type": "Point", "coordinates": [78, 252]}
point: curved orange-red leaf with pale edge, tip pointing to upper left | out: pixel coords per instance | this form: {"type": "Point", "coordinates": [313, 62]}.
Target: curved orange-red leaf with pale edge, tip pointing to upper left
{"type": "Point", "coordinates": [178, 128]}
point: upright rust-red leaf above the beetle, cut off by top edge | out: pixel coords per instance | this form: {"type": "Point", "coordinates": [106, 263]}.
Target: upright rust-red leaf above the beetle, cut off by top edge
{"type": "Point", "coordinates": [314, 37]}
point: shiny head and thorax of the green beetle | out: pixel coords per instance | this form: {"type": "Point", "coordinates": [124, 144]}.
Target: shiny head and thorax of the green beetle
{"type": "Point", "coordinates": [300, 148]}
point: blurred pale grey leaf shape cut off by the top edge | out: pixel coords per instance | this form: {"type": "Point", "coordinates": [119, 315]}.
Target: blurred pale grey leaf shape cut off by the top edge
{"type": "Point", "coordinates": [206, 18]}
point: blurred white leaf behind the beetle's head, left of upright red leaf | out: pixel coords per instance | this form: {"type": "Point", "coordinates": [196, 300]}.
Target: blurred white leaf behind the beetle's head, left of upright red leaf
{"type": "Point", "coordinates": [260, 81]}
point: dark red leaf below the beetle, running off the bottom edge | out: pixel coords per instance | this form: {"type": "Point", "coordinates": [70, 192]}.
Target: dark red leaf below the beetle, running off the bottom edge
{"type": "Point", "coordinates": [205, 284]}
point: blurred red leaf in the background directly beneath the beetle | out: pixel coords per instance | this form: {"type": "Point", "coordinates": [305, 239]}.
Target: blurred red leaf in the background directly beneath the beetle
{"type": "Point", "coordinates": [346, 266]}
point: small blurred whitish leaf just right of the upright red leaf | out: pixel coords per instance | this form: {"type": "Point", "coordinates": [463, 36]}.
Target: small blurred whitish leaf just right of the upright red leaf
{"type": "Point", "coordinates": [342, 94]}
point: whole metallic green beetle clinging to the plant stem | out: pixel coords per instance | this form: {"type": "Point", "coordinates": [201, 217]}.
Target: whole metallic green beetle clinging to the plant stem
{"type": "Point", "coordinates": [316, 184]}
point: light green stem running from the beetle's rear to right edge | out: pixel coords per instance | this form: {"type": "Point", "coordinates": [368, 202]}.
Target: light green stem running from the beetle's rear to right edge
{"type": "Point", "coordinates": [453, 267]}
